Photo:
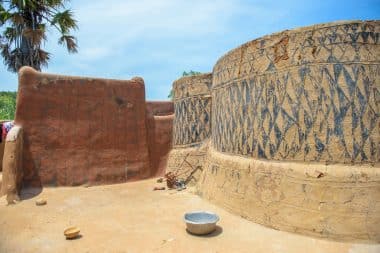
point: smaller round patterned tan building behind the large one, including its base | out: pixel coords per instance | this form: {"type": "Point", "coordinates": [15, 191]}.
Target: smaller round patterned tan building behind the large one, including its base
{"type": "Point", "coordinates": [191, 127]}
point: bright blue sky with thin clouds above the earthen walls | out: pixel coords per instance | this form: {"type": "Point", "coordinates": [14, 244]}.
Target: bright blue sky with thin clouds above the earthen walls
{"type": "Point", "coordinates": [159, 39]}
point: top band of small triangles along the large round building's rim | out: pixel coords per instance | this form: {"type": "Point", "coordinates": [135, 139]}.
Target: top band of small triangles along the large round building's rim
{"type": "Point", "coordinates": [345, 42]}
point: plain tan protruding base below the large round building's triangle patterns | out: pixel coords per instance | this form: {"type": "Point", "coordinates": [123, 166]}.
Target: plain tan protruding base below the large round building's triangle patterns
{"type": "Point", "coordinates": [340, 202]}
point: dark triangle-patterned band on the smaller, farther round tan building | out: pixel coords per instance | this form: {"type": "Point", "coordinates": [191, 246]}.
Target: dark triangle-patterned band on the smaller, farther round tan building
{"type": "Point", "coordinates": [192, 120]}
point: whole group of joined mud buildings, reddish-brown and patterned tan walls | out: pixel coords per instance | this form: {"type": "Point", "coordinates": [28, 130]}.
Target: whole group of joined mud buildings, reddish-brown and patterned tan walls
{"type": "Point", "coordinates": [283, 132]}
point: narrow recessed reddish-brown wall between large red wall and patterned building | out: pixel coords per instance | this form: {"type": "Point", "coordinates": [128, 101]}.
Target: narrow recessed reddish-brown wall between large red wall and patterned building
{"type": "Point", "coordinates": [160, 116]}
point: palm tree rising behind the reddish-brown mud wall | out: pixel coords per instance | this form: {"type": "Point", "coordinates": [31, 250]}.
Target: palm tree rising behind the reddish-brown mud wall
{"type": "Point", "coordinates": [25, 23]}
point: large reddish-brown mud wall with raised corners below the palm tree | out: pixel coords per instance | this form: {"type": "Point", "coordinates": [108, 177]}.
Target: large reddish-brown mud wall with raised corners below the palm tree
{"type": "Point", "coordinates": [80, 130]}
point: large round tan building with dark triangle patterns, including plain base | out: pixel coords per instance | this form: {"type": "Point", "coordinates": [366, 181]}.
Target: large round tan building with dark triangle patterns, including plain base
{"type": "Point", "coordinates": [295, 131]}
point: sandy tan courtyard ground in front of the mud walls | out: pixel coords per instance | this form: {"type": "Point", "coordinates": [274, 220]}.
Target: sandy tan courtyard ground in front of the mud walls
{"type": "Point", "coordinates": [131, 217]}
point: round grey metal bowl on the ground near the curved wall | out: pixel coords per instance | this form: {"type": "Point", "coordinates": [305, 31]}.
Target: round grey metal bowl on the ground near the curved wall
{"type": "Point", "coordinates": [201, 222]}
